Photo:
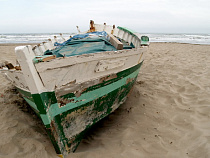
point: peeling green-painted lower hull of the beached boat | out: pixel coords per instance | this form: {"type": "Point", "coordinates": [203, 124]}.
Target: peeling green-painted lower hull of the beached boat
{"type": "Point", "coordinates": [67, 123]}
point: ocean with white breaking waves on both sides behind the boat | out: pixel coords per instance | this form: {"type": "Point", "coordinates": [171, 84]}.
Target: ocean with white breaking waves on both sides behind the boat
{"type": "Point", "coordinates": [41, 37]}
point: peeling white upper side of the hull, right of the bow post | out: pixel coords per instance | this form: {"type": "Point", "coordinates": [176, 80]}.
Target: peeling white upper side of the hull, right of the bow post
{"type": "Point", "coordinates": [62, 71]}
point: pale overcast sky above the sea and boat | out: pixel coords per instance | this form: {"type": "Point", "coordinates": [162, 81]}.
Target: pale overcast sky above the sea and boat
{"type": "Point", "coordinates": [144, 16]}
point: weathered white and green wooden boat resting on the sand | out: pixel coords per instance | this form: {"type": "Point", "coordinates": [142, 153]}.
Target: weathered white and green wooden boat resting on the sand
{"type": "Point", "coordinates": [79, 82]}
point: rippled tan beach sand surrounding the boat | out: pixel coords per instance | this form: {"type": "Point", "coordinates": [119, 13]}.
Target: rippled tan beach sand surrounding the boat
{"type": "Point", "coordinates": [166, 116]}
